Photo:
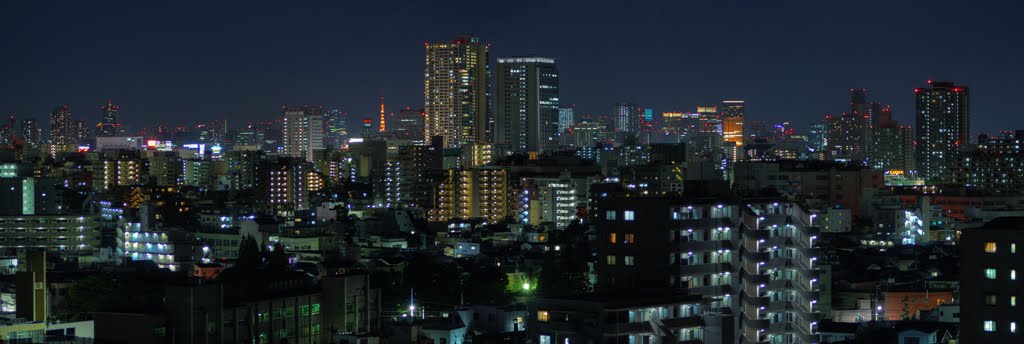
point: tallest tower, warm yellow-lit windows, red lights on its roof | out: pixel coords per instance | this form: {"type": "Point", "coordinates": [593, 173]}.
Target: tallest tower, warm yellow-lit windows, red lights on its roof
{"type": "Point", "coordinates": [456, 92]}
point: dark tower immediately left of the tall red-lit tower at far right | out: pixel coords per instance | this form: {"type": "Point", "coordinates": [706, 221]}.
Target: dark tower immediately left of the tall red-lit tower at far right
{"type": "Point", "coordinates": [891, 146]}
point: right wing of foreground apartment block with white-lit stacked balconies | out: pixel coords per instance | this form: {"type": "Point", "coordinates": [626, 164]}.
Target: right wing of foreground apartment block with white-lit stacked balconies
{"type": "Point", "coordinates": [783, 277]}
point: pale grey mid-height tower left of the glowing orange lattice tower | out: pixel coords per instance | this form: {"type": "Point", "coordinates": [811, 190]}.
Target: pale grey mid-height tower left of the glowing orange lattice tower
{"type": "Point", "coordinates": [303, 132]}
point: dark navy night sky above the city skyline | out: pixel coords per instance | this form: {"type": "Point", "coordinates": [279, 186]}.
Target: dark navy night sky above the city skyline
{"type": "Point", "coordinates": [182, 62]}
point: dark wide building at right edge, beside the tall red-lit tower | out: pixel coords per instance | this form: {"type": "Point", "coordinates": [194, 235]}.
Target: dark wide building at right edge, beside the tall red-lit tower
{"type": "Point", "coordinates": [995, 165]}
